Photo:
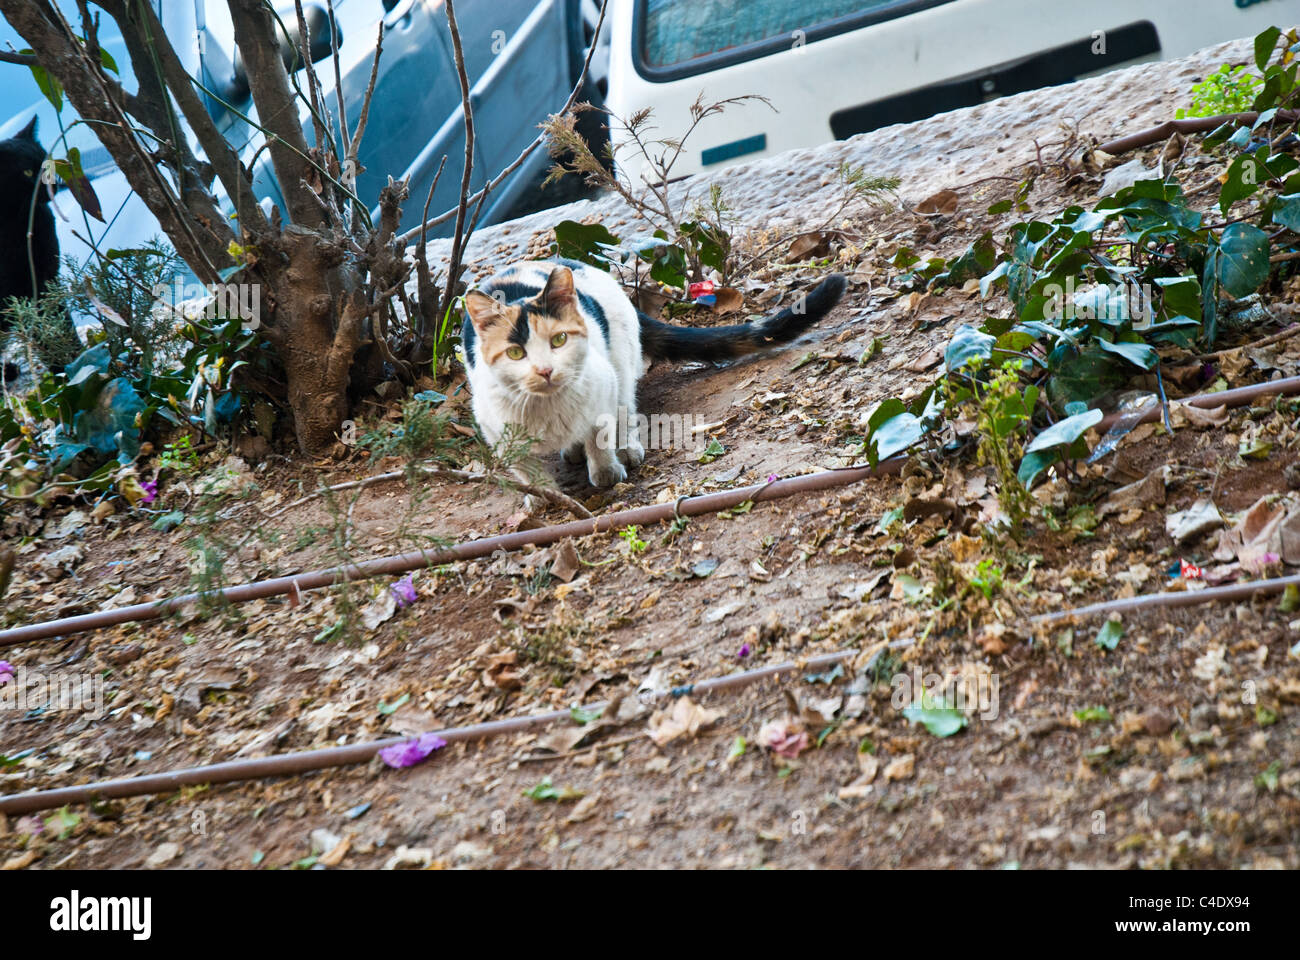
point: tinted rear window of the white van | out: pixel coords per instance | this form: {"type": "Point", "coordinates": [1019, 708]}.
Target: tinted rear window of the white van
{"type": "Point", "coordinates": [677, 32]}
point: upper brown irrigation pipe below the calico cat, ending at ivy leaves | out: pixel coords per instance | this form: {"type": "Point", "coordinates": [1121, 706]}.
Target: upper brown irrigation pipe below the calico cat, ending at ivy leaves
{"type": "Point", "coordinates": [402, 564]}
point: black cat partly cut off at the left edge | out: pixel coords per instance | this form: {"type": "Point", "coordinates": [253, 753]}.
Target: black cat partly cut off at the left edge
{"type": "Point", "coordinates": [20, 171]}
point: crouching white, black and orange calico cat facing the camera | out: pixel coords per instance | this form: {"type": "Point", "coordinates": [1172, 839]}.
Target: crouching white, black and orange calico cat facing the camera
{"type": "Point", "coordinates": [554, 348]}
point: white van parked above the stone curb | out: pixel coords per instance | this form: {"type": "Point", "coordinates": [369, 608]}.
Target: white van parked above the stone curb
{"type": "Point", "coordinates": [838, 68]}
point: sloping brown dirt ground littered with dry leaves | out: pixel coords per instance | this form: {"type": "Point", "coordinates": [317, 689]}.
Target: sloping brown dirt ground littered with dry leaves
{"type": "Point", "coordinates": [1181, 747]}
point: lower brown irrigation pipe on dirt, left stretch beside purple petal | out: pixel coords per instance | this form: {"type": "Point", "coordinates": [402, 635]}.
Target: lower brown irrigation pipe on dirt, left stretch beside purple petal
{"type": "Point", "coordinates": [310, 762]}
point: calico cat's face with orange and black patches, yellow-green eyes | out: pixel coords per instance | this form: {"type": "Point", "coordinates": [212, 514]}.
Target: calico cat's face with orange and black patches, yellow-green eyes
{"type": "Point", "coordinates": [536, 347]}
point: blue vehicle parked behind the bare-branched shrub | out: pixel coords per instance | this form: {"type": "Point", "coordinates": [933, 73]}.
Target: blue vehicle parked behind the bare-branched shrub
{"type": "Point", "coordinates": [523, 59]}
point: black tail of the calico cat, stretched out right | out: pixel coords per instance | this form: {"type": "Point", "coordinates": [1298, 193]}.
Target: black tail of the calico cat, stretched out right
{"type": "Point", "coordinates": [662, 341]}
